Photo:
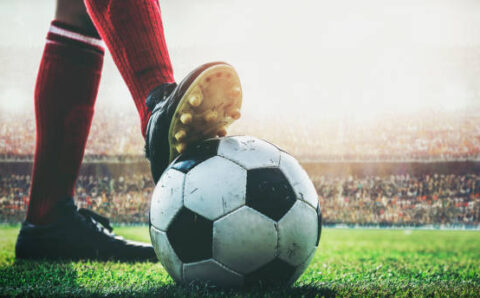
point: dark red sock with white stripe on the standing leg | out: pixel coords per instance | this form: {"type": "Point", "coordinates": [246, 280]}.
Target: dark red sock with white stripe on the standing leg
{"type": "Point", "coordinates": [67, 85]}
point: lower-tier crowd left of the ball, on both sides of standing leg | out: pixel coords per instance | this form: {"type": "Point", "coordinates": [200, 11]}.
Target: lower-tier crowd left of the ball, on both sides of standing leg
{"type": "Point", "coordinates": [124, 199]}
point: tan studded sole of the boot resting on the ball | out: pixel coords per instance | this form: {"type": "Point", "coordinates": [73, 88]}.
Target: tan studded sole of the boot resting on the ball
{"type": "Point", "coordinates": [210, 104]}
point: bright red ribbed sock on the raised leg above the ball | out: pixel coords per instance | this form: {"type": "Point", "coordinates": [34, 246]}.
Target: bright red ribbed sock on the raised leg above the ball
{"type": "Point", "coordinates": [133, 32]}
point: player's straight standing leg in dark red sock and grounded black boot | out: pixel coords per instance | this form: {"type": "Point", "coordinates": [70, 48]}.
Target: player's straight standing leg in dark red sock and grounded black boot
{"type": "Point", "coordinates": [65, 94]}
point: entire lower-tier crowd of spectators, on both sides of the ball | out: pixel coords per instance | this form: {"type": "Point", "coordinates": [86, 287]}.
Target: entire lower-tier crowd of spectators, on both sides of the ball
{"type": "Point", "coordinates": [398, 199]}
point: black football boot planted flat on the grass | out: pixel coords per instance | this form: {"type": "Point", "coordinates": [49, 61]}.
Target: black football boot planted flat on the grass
{"type": "Point", "coordinates": [78, 234]}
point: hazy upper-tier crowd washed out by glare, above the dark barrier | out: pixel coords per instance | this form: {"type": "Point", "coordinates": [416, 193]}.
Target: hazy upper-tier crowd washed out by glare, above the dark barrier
{"type": "Point", "coordinates": [425, 136]}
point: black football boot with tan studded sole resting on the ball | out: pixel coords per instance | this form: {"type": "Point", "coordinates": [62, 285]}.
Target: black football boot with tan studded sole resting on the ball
{"type": "Point", "coordinates": [200, 107]}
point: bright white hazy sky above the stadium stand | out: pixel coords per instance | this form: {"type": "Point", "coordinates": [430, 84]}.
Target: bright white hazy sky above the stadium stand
{"type": "Point", "coordinates": [335, 58]}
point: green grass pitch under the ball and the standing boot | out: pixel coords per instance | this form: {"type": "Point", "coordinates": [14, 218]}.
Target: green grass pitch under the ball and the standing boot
{"type": "Point", "coordinates": [348, 263]}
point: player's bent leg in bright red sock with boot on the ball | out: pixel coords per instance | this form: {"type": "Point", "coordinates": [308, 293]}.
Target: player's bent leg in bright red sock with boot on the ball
{"type": "Point", "coordinates": [172, 116]}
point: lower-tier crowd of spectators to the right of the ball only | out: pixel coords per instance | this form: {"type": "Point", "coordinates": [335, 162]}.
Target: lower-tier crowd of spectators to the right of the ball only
{"type": "Point", "coordinates": [401, 199]}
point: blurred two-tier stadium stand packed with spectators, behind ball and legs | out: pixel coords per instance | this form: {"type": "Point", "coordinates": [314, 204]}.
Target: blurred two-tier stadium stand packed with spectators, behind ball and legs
{"type": "Point", "coordinates": [403, 170]}
